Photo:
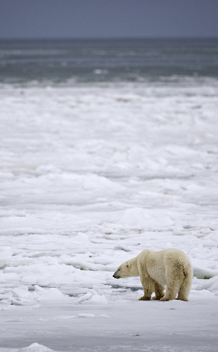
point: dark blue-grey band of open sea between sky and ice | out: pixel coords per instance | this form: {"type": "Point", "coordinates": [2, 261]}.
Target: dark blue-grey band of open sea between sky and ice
{"type": "Point", "coordinates": [62, 61]}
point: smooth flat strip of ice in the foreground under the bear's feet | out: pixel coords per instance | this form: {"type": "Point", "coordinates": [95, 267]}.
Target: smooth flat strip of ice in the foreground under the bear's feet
{"type": "Point", "coordinates": [122, 326]}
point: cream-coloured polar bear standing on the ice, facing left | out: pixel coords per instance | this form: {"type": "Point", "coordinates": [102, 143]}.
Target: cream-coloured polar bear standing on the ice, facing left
{"type": "Point", "coordinates": [169, 267]}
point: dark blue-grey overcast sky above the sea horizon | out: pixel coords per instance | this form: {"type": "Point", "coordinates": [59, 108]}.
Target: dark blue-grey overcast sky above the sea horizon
{"type": "Point", "coordinates": [108, 18]}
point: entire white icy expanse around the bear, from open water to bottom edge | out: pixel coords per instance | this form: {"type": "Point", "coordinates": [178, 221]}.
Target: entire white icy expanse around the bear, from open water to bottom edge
{"type": "Point", "coordinates": [90, 175]}
